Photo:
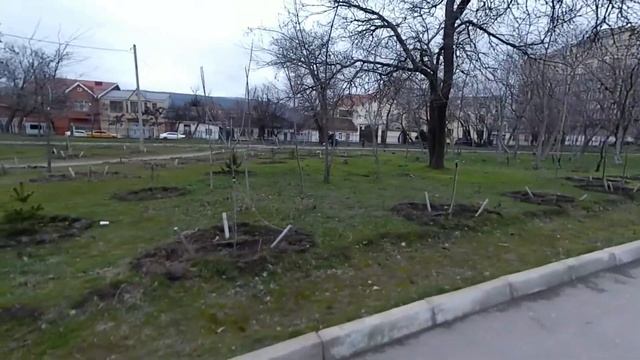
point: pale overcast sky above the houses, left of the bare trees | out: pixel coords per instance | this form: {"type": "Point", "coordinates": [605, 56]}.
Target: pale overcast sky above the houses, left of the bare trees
{"type": "Point", "coordinates": [174, 38]}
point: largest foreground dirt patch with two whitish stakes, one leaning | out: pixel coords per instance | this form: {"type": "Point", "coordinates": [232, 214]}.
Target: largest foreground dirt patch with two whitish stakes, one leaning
{"type": "Point", "coordinates": [252, 246]}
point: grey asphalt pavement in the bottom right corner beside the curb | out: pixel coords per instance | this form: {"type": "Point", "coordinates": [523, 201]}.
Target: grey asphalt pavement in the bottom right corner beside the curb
{"type": "Point", "coordinates": [594, 318]}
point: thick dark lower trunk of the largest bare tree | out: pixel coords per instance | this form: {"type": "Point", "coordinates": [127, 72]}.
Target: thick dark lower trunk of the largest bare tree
{"type": "Point", "coordinates": [437, 131]}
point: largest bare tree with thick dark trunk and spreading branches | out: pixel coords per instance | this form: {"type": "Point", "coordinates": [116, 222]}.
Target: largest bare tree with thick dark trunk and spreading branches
{"type": "Point", "coordinates": [426, 37]}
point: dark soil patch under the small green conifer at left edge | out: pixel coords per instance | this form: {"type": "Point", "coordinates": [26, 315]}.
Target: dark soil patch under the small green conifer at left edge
{"type": "Point", "coordinates": [44, 230]}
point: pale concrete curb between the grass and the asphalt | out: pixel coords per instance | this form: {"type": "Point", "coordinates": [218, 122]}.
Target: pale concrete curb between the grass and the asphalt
{"type": "Point", "coordinates": [345, 340]}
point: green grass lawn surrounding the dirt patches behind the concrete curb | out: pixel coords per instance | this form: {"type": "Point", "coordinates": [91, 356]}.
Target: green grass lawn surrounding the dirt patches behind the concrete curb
{"type": "Point", "coordinates": [366, 259]}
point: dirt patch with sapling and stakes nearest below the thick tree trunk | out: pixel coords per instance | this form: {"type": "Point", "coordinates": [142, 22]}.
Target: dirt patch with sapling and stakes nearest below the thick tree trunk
{"type": "Point", "coordinates": [439, 214]}
